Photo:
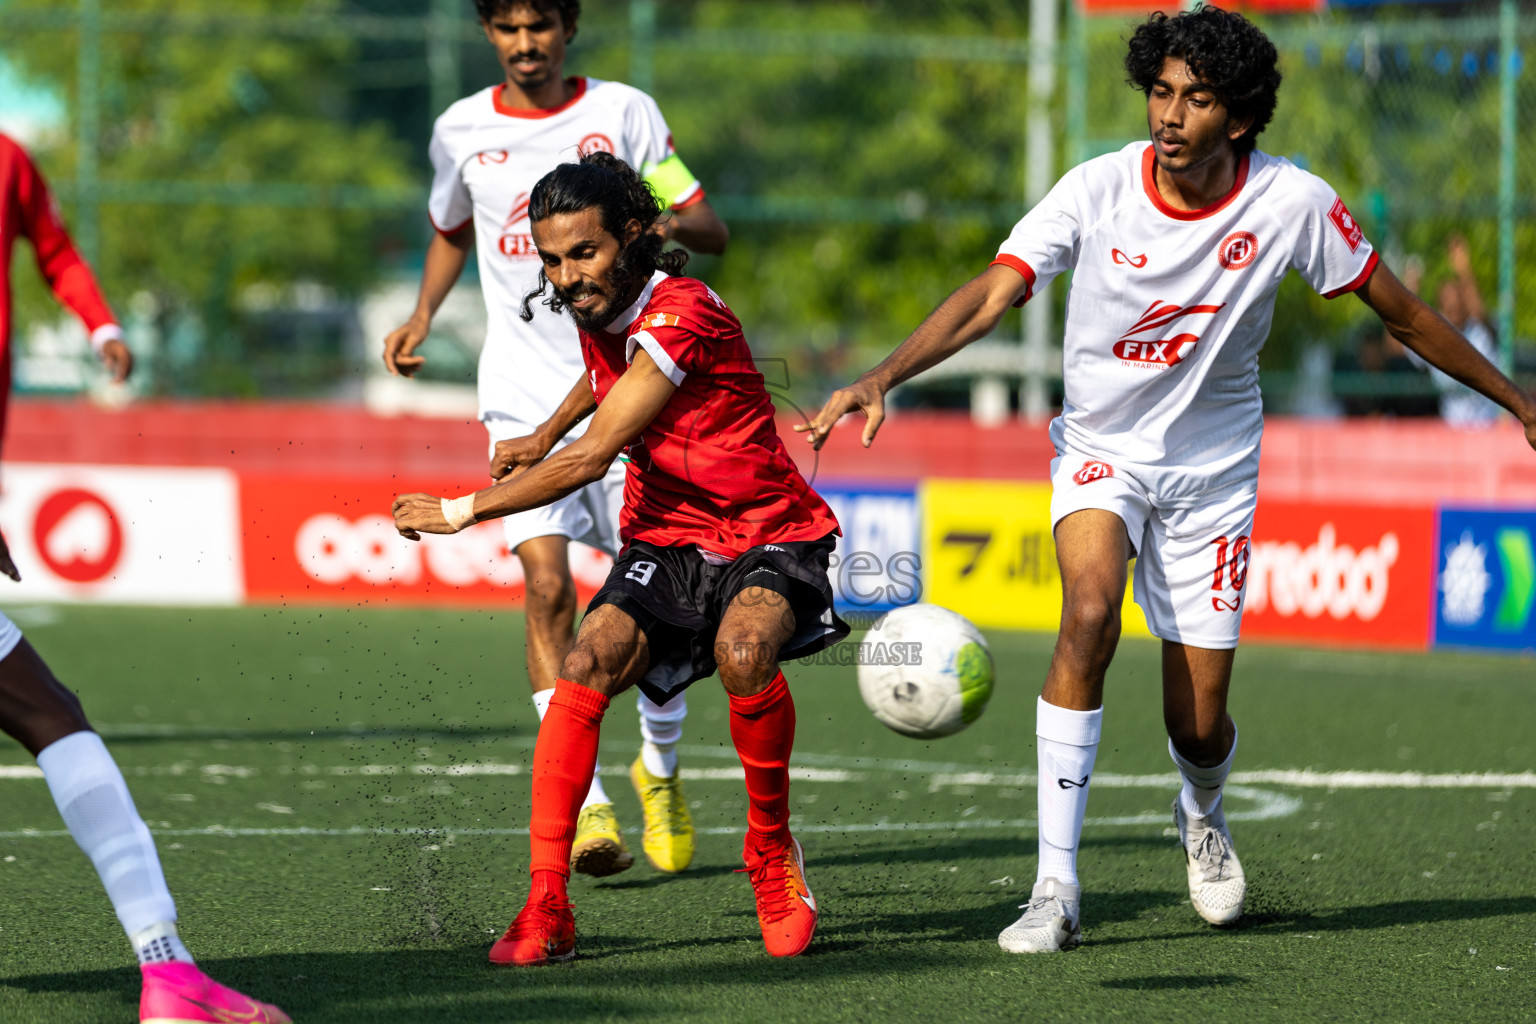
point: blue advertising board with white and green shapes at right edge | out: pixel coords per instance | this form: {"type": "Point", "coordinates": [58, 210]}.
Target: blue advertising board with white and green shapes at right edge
{"type": "Point", "coordinates": [1486, 580]}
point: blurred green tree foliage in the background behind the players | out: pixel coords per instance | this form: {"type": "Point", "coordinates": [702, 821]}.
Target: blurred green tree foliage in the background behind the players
{"type": "Point", "coordinates": [861, 190]}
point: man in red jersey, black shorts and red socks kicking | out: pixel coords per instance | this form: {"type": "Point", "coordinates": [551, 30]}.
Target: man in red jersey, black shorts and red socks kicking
{"type": "Point", "coordinates": [726, 546]}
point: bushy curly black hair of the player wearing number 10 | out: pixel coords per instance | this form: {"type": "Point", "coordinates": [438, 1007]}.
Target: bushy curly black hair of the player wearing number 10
{"type": "Point", "coordinates": [1223, 50]}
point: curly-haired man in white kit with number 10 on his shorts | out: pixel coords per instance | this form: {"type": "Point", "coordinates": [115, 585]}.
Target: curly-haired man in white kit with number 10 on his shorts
{"type": "Point", "coordinates": [1177, 249]}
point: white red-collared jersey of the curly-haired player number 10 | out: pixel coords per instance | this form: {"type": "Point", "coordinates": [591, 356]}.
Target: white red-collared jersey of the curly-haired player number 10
{"type": "Point", "coordinates": [1170, 309]}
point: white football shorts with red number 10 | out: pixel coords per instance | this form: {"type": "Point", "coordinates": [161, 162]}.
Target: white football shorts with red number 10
{"type": "Point", "coordinates": [1191, 563]}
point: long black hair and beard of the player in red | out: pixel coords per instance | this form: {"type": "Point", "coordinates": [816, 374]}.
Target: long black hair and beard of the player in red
{"type": "Point", "coordinates": [606, 182]}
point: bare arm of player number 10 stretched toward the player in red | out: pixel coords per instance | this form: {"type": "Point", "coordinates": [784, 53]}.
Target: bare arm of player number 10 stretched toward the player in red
{"type": "Point", "coordinates": [970, 314]}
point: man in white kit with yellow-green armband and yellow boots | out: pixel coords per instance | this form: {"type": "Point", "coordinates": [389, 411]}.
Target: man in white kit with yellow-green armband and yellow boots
{"type": "Point", "coordinates": [488, 153]}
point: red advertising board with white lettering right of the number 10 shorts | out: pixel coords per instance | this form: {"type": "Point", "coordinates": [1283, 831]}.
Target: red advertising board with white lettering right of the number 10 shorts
{"type": "Point", "coordinates": [1354, 575]}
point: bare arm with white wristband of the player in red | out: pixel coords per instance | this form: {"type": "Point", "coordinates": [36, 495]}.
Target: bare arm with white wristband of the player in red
{"type": "Point", "coordinates": [629, 409]}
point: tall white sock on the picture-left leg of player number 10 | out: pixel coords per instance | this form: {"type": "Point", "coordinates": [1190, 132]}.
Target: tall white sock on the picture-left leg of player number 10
{"type": "Point", "coordinates": [1067, 742]}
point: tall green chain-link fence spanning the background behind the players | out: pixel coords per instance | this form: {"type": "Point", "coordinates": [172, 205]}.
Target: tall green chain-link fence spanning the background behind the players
{"type": "Point", "coordinates": [250, 174]}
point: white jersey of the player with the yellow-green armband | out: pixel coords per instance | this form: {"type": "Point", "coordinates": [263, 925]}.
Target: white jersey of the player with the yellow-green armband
{"type": "Point", "coordinates": [486, 160]}
